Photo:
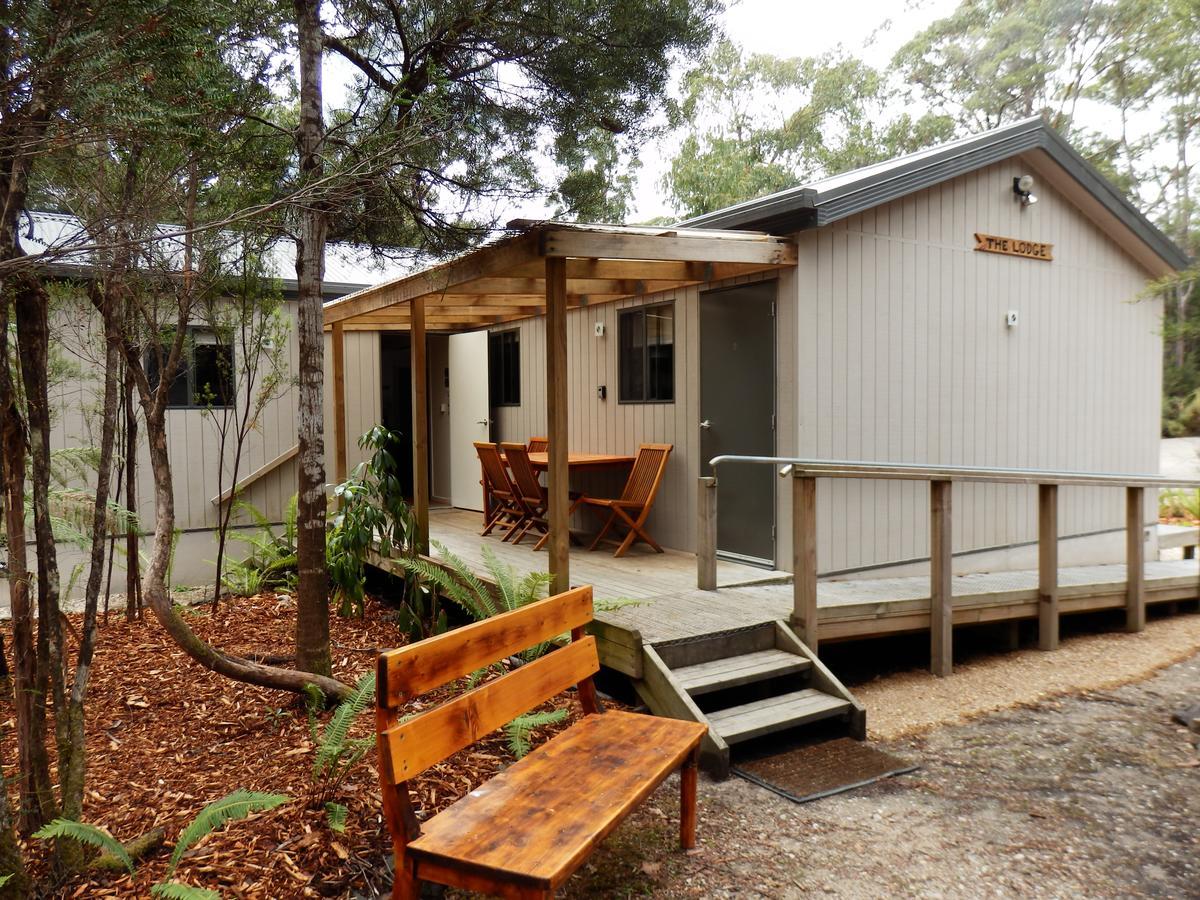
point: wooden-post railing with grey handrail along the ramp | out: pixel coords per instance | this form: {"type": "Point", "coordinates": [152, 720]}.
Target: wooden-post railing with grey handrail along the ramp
{"type": "Point", "coordinates": [805, 475]}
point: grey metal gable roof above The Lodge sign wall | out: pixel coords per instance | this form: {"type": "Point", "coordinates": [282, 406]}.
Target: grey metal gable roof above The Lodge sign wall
{"type": "Point", "coordinates": [830, 200]}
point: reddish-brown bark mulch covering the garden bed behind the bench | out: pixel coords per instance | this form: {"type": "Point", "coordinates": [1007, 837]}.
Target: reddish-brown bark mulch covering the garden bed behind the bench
{"type": "Point", "coordinates": [166, 737]}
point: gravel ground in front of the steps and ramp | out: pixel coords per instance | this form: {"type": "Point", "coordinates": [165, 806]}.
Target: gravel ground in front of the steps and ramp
{"type": "Point", "coordinates": [1093, 795]}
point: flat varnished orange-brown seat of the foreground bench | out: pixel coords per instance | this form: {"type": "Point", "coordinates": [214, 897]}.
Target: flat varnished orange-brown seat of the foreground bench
{"type": "Point", "coordinates": [526, 831]}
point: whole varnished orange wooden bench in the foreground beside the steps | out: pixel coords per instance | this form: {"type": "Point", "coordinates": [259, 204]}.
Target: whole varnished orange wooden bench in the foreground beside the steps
{"type": "Point", "coordinates": [523, 833]}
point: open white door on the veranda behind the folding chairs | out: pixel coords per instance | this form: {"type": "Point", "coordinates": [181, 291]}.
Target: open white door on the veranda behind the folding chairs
{"type": "Point", "coordinates": [469, 417]}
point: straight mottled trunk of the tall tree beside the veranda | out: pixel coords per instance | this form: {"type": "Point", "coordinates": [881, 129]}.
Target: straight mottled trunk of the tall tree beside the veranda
{"type": "Point", "coordinates": [313, 597]}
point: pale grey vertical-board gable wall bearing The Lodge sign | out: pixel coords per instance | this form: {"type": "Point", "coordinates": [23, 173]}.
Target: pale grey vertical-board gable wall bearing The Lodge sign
{"type": "Point", "coordinates": [904, 356]}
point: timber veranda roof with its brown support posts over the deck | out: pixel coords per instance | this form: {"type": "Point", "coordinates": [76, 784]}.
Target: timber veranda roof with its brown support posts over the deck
{"type": "Point", "coordinates": [542, 271]}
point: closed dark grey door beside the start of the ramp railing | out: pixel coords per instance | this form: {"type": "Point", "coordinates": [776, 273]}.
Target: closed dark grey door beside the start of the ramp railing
{"type": "Point", "coordinates": [737, 412]}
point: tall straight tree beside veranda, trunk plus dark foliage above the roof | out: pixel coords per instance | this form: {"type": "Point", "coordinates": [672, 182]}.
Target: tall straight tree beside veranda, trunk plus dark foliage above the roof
{"type": "Point", "coordinates": [453, 109]}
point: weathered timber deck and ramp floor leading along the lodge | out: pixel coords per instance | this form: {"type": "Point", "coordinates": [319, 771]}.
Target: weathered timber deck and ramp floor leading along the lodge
{"type": "Point", "coordinates": [671, 610]}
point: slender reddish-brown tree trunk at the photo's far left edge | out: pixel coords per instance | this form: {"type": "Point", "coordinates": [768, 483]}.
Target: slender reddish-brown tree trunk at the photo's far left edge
{"type": "Point", "coordinates": [37, 797]}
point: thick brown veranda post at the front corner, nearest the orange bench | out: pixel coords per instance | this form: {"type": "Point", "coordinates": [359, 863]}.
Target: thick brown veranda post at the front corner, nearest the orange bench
{"type": "Point", "coordinates": [557, 487]}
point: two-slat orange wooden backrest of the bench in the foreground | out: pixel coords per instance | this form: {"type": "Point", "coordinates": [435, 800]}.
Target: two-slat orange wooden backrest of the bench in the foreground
{"type": "Point", "coordinates": [409, 748]}
